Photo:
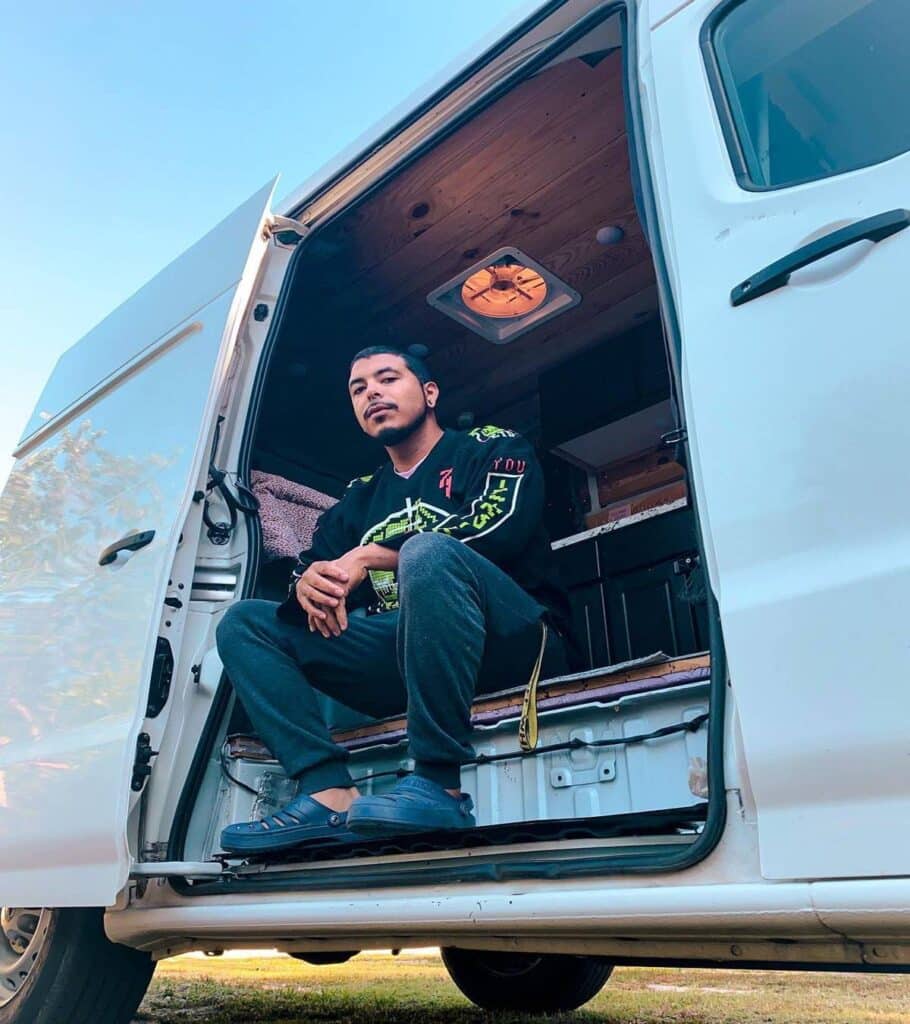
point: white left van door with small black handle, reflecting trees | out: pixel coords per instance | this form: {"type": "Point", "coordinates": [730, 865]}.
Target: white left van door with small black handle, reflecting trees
{"type": "Point", "coordinates": [90, 525]}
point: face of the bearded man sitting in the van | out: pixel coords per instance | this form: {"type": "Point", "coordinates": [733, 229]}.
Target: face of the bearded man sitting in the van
{"type": "Point", "coordinates": [389, 402]}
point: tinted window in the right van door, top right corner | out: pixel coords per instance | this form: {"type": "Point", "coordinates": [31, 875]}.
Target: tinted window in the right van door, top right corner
{"type": "Point", "coordinates": [813, 89]}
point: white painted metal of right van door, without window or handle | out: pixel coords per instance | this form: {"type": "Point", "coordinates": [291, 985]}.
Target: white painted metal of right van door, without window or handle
{"type": "Point", "coordinates": [796, 406]}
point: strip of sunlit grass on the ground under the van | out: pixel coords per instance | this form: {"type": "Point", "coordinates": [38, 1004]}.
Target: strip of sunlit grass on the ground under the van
{"type": "Point", "coordinates": [416, 989]}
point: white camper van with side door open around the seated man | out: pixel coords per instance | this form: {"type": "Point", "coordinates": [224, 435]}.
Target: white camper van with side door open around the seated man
{"type": "Point", "coordinates": [711, 199]}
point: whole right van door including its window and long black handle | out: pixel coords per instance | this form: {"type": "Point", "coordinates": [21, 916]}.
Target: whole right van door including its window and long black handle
{"type": "Point", "coordinates": [781, 139]}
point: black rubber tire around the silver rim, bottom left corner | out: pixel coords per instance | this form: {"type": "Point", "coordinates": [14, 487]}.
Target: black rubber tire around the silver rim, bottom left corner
{"type": "Point", "coordinates": [80, 976]}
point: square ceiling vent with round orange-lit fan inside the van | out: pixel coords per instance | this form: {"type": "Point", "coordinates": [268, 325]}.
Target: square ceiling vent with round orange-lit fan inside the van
{"type": "Point", "coordinates": [504, 295]}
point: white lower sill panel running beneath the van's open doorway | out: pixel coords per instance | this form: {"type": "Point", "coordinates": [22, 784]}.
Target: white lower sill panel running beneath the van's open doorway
{"type": "Point", "coordinates": [631, 909]}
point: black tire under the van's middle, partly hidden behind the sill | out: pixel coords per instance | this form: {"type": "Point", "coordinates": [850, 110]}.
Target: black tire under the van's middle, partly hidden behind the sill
{"type": "Point", "coordinates": [527, 983]}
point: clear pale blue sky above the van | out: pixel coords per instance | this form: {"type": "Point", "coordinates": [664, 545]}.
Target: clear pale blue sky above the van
{"type": "Point", "coordinates": [131, 130]}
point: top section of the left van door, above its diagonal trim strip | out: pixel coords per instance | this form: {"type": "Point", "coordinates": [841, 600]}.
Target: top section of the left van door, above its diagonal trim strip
{"type": "Point", "coordinates": [211, 267]}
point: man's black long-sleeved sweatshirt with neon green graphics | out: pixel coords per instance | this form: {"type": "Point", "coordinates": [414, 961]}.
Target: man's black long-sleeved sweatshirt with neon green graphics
{"type": "Point", "coordinates": [485, 488]}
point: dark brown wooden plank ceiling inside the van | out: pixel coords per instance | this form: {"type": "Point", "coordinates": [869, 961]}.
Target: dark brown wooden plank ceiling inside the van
{"type": "Point", "coordinates": [542, 169]}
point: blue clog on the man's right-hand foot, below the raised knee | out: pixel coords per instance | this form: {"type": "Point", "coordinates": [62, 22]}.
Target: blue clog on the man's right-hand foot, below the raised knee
{"type": "Point", "coordinates": [416, 804]}
